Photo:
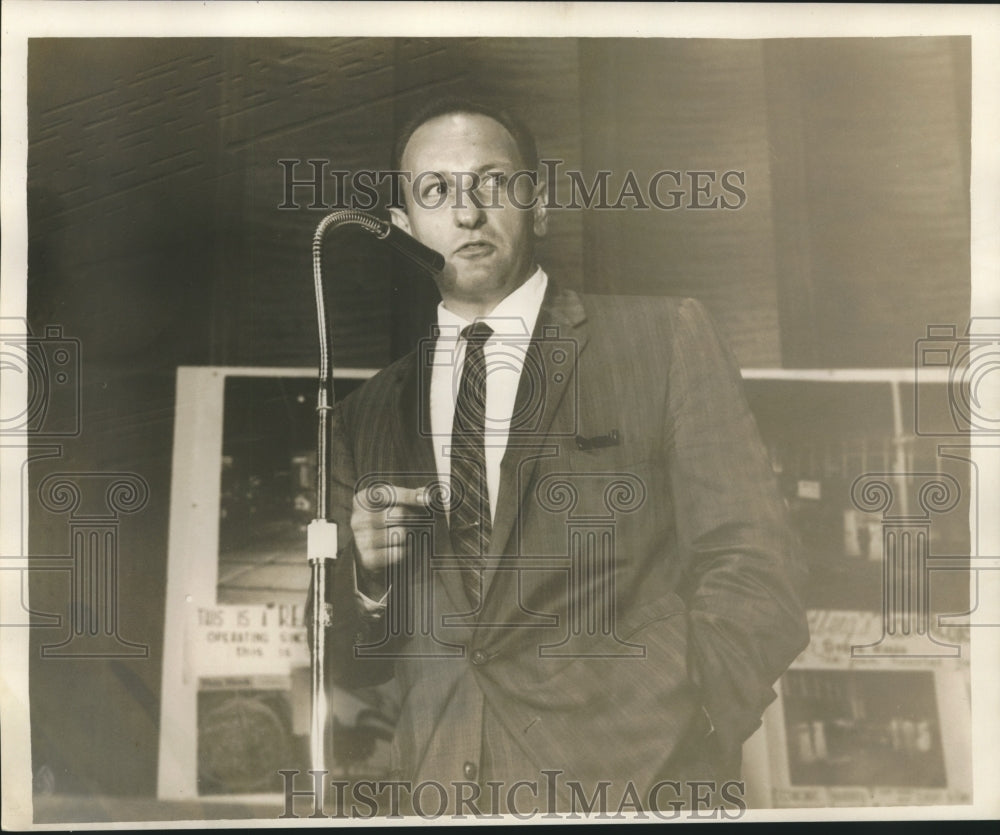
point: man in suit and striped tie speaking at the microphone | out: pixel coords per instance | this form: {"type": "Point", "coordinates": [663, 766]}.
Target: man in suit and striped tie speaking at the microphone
{"type": "Point", "coordinates": [561, 532]}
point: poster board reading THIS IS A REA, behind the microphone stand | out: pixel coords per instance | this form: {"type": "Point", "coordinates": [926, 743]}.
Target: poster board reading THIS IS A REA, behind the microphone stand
{"type": "Point", "coordinates": [235, 706]}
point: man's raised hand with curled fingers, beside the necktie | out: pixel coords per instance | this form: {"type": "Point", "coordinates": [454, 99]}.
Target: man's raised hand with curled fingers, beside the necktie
{"type": "Point", "coordinates": [379, 520]}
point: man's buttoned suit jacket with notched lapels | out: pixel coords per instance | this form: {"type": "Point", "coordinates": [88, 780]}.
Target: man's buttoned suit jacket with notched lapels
{"type": "Point", "coordinates": [629, 586]}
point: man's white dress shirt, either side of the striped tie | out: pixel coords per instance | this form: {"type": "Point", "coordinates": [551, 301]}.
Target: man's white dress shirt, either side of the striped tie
{"type": "Point", "coordinates": [512, 321]}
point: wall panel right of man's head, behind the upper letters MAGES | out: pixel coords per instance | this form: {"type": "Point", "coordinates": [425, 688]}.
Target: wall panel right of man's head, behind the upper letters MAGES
{"type": "Point", "coordinates": [653, 105]}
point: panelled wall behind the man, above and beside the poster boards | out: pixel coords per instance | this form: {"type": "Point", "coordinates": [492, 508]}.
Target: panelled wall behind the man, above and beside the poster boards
{"type": "Point", "coordinates": [155, 239]}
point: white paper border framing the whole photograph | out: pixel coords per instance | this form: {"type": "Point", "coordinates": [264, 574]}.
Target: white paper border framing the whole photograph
{"type": "Point", "coordinates": [22, 19]}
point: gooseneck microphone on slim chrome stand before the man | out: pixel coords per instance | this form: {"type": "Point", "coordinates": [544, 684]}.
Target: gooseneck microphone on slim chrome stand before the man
{"type": "Point", "coordinates": [322, 532]}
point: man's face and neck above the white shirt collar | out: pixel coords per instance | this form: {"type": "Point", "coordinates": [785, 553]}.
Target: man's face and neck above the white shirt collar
{"type": "Point", "coordinates": [488, 252]}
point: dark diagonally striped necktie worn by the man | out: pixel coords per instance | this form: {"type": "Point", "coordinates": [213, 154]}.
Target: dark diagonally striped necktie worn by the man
{"type": "Point", "coordinates": [469, 512]}
